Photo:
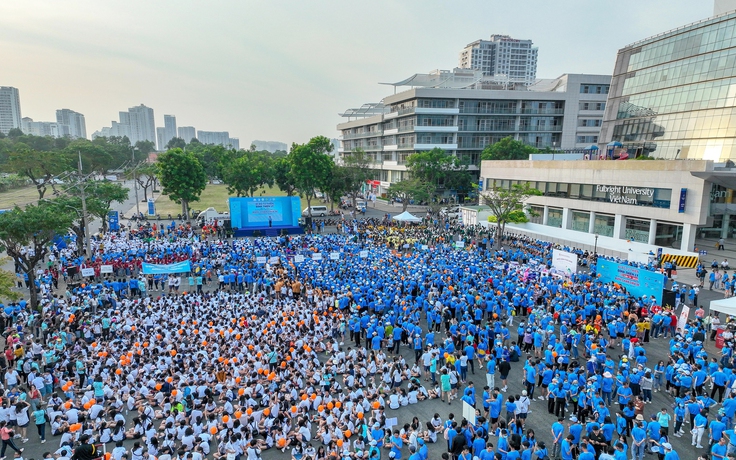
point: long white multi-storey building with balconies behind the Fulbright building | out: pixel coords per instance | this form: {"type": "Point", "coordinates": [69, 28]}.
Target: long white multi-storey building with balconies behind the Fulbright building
{"type": "Point", "coordinates": [445, 109]}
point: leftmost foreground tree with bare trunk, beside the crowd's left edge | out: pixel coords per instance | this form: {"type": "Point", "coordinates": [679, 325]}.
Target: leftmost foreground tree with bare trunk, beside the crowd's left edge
{"type": "Point", "coordinates": [34, 228]}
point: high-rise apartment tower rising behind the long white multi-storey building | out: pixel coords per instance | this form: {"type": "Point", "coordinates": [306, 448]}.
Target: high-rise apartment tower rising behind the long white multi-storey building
{"type": "Point", "coordinates": [502, 57]}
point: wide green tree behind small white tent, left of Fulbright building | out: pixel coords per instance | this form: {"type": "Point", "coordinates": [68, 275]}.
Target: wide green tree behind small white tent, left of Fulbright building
{"type": "Point", "coordinates": [441, 172]}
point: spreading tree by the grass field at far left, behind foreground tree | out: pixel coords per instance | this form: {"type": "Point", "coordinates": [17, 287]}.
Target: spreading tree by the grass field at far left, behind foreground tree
{"type": "Point", "coordinates": [41, 167]}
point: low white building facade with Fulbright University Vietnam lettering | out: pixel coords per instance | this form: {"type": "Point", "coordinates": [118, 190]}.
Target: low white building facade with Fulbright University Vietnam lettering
{"type": "Point", "coordinates": [662, 203]}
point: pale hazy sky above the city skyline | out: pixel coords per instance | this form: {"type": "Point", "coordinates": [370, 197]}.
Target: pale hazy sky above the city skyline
{"type": "Point", "coordinates": [282, 70]}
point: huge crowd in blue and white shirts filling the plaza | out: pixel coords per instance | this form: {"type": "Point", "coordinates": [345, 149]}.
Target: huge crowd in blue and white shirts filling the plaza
{"type": "Point", "coordinates": [265, 347]}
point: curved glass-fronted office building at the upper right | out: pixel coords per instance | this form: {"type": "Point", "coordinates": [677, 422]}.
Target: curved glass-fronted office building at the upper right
{"type": "Point", "coordinates": [674, 95]}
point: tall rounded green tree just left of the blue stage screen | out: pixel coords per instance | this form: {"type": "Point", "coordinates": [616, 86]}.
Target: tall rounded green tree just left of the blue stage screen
{"type": "Point", "coordinates": [182, 177]}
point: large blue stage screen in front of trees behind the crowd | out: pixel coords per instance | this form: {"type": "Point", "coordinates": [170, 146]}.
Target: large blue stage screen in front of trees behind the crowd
{"type": "Point", "coordinates": [284, 211]}
